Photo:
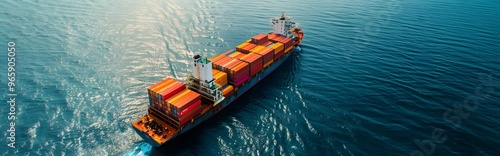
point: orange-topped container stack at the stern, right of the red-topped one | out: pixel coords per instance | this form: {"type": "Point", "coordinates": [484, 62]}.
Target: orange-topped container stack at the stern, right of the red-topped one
{"type": "Point", "coordinates": [185, 105]}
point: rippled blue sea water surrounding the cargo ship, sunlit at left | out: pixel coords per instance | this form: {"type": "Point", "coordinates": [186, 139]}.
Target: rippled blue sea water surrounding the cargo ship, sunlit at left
{"type": "Point", "coordinates": [373, 77]}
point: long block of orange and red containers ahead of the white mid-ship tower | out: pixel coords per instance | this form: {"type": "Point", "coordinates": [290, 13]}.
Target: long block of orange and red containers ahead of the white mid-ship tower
{"type": "Point", "coordinates": [249, 59]}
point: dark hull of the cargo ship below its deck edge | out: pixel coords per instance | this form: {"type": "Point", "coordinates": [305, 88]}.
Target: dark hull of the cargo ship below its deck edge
{"type": "Point", "coordinates": [228, 100]}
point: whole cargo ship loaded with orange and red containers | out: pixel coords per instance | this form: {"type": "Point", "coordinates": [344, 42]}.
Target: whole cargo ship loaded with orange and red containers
{"type": "Point", "coordinates": [175, 107]}
